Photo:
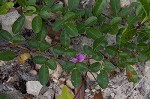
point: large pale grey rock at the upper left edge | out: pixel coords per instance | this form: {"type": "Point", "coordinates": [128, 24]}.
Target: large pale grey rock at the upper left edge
{"type": "Point", "coordinates": [8, 19]}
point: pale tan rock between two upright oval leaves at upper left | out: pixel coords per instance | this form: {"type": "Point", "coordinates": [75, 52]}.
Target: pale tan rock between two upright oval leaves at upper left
{"type": "Point", "coordinates": [28, 21]}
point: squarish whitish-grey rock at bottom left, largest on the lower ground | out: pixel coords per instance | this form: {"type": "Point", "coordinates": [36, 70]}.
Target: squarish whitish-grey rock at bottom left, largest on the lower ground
{"type": "Point", "coordinates": [33, 87]}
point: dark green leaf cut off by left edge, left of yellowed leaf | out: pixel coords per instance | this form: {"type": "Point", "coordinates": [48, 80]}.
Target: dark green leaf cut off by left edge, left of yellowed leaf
{"type": "Point", "coordinates": [7, 55]}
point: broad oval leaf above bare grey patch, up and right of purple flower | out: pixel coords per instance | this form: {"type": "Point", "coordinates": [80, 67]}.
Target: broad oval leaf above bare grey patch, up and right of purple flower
{"type": "Point", "coordinates": [93, 33]}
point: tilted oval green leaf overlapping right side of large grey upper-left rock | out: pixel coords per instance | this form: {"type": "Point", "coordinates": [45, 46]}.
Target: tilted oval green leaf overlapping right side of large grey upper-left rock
{"type": "Point", "coordinates": [18, 24]}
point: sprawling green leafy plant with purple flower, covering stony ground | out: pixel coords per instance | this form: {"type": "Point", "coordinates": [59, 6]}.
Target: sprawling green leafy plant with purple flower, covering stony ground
{"type": "Point", "coordinates": [129, 24]}
